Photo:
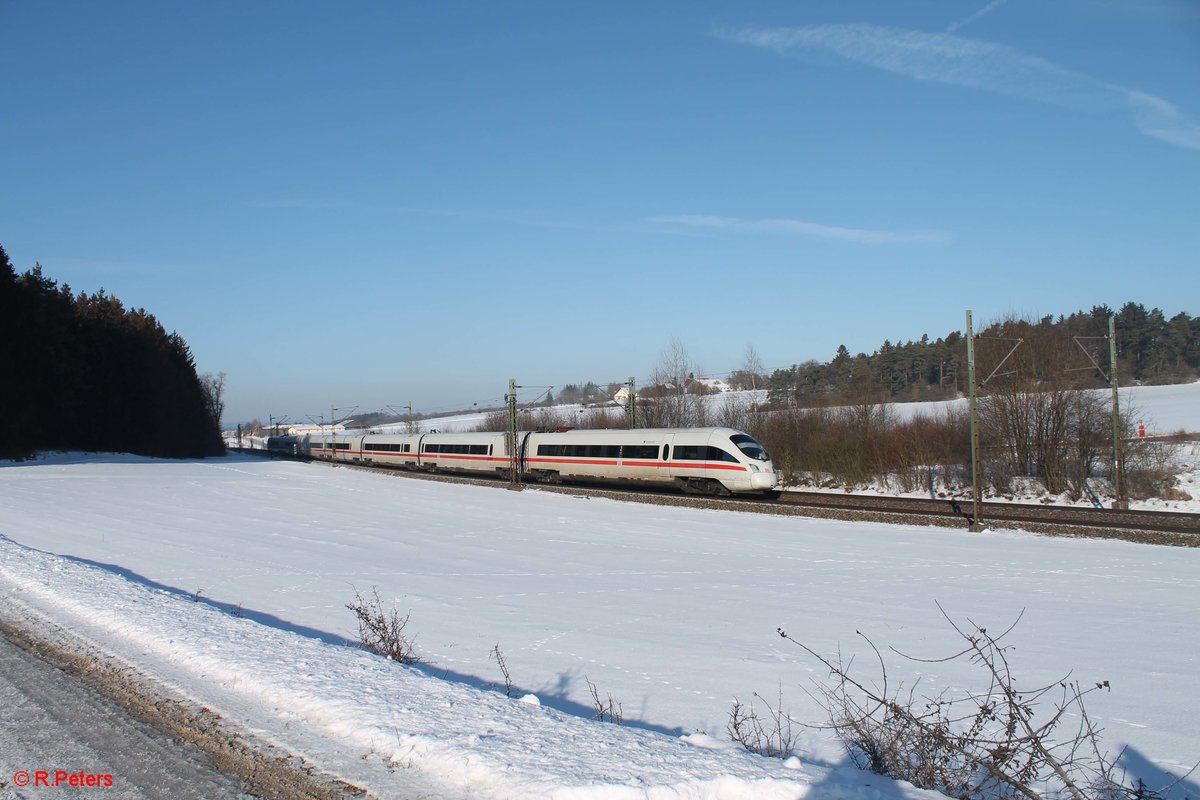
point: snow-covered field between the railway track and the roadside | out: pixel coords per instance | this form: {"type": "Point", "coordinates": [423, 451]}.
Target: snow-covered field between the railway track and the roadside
{"type": "Point", "coordinates": [230, 580]}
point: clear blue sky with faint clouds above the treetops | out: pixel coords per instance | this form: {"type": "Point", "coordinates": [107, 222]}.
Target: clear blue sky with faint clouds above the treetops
{"type": "Point", "coordinates": [379, 203]}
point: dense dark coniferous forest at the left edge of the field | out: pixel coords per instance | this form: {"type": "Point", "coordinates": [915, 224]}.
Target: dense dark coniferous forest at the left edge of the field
{"type": "Point", "coordinates": [82, 372]}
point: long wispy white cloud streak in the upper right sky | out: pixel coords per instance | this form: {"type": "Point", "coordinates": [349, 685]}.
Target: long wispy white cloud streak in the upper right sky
{"type": "Point", "coordinates": [962, 62]}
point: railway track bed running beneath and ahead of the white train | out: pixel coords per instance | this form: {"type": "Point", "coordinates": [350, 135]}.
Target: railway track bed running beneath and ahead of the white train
{"type": "Point", "coordinates": [1178, 530]}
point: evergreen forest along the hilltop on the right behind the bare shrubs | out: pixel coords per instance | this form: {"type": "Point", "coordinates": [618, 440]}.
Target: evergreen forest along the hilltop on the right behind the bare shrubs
{"type": "Point", "coordinates": [1151, 350]}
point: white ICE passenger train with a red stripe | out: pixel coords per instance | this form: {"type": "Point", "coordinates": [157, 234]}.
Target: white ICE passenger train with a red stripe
{"type": "Point", "coordinates": [700, 461]}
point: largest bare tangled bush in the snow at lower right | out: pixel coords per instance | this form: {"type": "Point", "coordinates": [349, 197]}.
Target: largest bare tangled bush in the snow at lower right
{"type": "Point", "coordinates": [995, 742]}
